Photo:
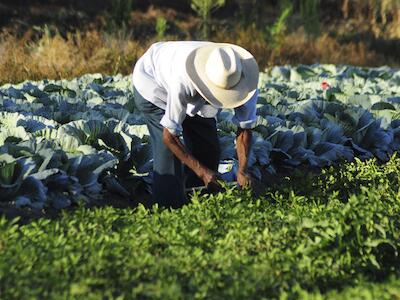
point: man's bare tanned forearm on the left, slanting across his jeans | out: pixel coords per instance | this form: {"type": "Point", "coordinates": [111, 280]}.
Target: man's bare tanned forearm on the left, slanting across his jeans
{"type": "Point", "coordinates": [178, 149]}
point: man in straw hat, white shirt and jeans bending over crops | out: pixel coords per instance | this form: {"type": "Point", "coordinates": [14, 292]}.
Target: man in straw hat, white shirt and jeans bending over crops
{"type": "Point", "coordinates": [179, 88]}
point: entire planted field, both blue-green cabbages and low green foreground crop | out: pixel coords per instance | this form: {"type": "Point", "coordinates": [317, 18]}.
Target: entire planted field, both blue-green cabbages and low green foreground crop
{"type": "Point", "coordinates": [328, 227]}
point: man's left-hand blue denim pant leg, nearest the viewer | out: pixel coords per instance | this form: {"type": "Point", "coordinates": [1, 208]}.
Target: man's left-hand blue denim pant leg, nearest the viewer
{"type": "Point", "coordinates": [168, 186]}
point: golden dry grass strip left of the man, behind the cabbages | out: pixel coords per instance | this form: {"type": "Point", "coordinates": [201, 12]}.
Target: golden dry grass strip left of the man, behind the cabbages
{"type": "Point", "coordinates": [57, 57]}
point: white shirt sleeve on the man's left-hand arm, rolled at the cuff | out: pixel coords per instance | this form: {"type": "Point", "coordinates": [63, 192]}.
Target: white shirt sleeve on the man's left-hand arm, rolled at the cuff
{"type": "Point", "coordinates": [175, 111]}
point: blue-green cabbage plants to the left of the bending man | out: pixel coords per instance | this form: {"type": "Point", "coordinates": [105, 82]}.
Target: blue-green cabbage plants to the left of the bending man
{"type": "Point", "coordinates": [64, 141]}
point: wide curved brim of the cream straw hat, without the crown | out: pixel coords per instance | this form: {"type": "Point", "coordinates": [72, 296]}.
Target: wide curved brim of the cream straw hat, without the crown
{"type": "Point", "coordinates": [215, 95]}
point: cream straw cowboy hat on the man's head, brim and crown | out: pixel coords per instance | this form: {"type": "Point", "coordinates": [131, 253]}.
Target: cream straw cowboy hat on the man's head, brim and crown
{"type": "Point", "coordinates": [225, 75]}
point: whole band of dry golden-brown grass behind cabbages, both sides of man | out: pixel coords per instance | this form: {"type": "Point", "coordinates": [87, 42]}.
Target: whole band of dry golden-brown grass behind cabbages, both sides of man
{"type": "Point", "coordinates": [53, 56]}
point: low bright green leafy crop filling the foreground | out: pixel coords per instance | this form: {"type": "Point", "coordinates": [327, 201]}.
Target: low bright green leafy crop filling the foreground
{"type": "Point", "coordinates": [300, 239]}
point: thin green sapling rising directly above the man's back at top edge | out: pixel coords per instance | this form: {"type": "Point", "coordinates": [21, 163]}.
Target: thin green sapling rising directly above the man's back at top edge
{"type": "Point", "coordinates": [204, 9]}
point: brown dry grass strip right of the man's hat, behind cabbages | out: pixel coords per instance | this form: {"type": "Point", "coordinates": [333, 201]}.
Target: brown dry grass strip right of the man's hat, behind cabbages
{"type": "Point", "coordinates": [297, 48]}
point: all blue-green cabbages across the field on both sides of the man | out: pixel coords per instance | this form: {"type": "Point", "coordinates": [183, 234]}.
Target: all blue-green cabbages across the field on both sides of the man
{"type": "Point", "coordinates": [65, 140]}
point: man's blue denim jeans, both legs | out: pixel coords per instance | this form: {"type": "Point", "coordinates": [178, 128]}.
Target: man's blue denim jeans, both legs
{"type": "Point", "coordinates": [170, 178]}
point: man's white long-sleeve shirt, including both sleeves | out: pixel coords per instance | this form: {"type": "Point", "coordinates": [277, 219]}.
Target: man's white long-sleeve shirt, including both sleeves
{"type": "Point", "coordinates": [160, 77]}
